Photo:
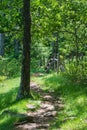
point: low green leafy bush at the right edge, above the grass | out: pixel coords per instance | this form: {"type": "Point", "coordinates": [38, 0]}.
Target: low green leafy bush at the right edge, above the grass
{"type": "Point", "coordinates": [76, 73]}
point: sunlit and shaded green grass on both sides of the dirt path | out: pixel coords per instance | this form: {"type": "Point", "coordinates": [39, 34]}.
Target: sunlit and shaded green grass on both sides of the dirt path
{"type": "Point", "coordinates": [74, 96]}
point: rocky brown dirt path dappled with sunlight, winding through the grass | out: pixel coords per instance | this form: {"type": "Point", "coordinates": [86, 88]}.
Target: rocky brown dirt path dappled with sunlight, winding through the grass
{"type": "Point", "coordinates": [41, 118]}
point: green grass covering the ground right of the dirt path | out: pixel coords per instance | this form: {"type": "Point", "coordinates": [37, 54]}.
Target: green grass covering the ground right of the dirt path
{"type": "Point", "coordinates": [74, 114]}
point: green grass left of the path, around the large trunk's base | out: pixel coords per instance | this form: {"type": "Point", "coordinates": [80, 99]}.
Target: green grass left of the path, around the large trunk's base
{"type": "Point", "coordinates": [8, 92]}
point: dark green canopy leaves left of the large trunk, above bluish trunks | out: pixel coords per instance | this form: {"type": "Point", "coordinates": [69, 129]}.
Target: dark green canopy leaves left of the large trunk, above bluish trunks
{"type": "Point", "coordinates": [12, 13]}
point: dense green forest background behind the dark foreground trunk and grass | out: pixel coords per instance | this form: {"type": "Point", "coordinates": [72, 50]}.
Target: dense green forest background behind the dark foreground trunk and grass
{"type": "Point", "coordinates": [59, 37]}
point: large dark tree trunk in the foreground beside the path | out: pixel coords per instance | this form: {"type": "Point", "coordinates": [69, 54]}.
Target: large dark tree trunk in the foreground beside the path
{"type": "Point", "coordinates": [24, 91]}
